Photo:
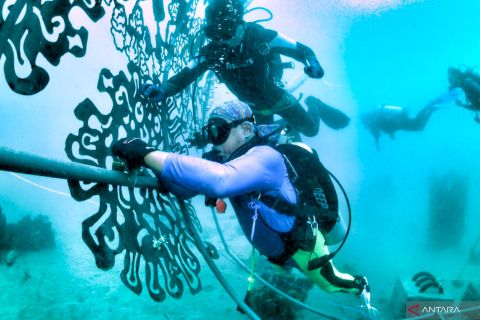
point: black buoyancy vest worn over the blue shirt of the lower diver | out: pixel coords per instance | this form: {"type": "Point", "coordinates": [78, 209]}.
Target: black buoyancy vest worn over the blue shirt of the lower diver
{"type": "Point", "coordinates": [317, 200]}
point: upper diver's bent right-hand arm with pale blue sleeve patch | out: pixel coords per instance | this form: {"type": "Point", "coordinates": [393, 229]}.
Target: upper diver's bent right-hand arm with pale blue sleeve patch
{"type": "Point", "coordinates": [296, 50]}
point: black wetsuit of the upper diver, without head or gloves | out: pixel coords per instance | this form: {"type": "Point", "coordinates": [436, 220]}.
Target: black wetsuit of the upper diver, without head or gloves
{"type": "Point", "coordinates": [251, 72]}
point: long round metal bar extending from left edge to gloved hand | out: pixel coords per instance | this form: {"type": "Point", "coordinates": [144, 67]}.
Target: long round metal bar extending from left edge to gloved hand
{"type": "Point", "coordinates": [23, 162]}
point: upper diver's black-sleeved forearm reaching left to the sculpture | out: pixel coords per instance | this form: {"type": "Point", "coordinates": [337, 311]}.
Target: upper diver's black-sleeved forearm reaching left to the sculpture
{"type": "Point", "coordinates": [185, 77]}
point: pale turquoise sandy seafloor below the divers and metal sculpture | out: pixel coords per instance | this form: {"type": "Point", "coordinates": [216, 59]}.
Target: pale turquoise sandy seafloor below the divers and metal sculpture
{"type": "Point", "coordinates": [64, 283]}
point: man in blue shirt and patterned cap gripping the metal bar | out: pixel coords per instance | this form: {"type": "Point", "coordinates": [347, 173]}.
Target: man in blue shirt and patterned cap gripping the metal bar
{"type": "Point", "coordinates": [249, 171]}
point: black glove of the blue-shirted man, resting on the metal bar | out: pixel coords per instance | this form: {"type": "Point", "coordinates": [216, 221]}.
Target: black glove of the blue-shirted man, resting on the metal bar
{"type": "Point", "coordinates": [132, 151]}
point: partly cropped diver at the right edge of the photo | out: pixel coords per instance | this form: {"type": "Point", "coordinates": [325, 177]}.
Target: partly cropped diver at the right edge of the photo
{"type": "Point", "coordinates": [467, 79]}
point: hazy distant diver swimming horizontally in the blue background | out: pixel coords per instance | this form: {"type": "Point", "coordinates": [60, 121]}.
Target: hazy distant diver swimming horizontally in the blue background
{"type": "Point", "coordinates": [389, 119]}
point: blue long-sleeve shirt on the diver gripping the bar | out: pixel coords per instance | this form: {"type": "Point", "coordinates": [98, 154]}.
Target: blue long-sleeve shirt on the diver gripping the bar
{"type": "Point", "coordinates": [260, 170]}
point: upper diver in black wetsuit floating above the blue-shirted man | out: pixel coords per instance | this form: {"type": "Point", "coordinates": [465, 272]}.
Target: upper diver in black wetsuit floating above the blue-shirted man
{"type": "Point", "coordinates": [246, 57]}
